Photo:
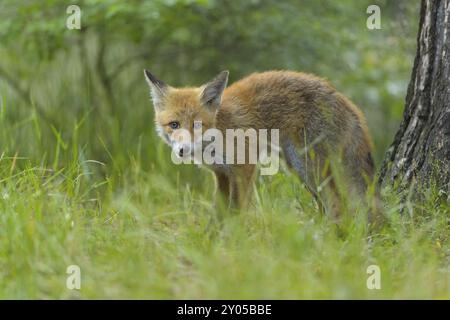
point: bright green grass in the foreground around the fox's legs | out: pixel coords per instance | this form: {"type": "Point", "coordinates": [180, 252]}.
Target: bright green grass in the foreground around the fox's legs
{"type": "Point", "coordinates": [143, 235]}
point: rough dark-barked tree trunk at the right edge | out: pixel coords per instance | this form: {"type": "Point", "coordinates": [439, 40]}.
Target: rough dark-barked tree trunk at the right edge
{"type": "Point", "coordinates": [420, 153]}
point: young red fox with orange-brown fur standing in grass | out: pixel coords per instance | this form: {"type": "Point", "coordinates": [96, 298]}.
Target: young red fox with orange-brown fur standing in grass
{"type": "Point", "coordinates": [318, 128]}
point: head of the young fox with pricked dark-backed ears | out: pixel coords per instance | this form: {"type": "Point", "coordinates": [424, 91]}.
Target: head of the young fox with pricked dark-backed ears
{"type": "Point", "coordinates": [181, 110]}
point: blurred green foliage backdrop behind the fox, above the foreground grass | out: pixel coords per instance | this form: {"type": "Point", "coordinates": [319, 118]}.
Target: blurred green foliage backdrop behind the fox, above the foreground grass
{"type": "Point", "coordinates": [80, 94]}
